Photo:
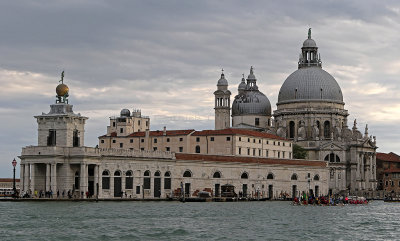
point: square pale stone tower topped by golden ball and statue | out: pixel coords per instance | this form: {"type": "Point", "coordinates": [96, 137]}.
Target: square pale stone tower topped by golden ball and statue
{"type": "Point", "coordinates": [61, 126]}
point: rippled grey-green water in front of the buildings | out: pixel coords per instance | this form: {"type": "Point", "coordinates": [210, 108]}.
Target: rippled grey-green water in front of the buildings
{"type": "Point", "coordinates": [197, 221]}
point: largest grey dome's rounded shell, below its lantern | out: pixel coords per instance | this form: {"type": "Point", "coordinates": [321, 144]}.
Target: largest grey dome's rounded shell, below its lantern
{"type": "Point", "coordinates": [311, 83]}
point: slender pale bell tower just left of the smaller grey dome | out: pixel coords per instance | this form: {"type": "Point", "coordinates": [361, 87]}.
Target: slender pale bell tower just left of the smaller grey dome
{"type": "Point", "coordinates": [222, 104]}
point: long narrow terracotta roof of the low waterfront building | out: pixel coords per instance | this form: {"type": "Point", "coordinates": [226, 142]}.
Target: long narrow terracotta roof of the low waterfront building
{"type": "Point", "coordinates": [218, 158]}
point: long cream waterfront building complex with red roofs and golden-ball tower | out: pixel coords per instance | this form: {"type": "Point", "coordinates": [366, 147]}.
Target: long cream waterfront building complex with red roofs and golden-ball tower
{"type": "Point", "coordinates": [61, 163]}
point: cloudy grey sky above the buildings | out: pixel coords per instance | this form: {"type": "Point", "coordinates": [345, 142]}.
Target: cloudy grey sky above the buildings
{"type": "Point", "coordinates": [165, 58]}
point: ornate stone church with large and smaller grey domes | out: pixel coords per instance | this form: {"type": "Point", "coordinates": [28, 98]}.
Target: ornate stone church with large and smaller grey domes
{"type": "Point", "coordinates": [310, 111]}
